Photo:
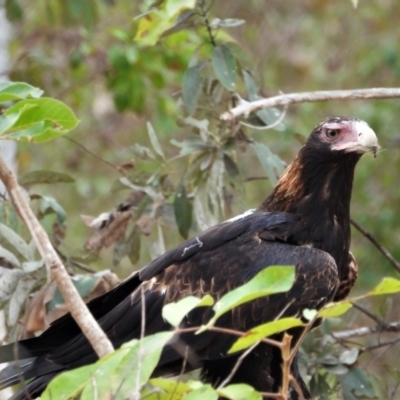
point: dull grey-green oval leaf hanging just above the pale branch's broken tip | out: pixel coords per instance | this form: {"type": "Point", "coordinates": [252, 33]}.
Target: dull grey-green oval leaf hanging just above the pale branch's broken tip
{"type": "Point", "coordinates": [223, 64]}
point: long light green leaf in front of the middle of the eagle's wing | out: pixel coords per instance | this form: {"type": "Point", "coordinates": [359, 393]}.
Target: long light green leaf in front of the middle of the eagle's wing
{"type": "Point", "coordinates": [270, 280]}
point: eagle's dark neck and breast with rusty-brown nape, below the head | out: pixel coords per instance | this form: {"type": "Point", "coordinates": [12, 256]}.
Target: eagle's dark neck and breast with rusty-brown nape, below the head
{"type": "Point", "coordinates": [318, 188]}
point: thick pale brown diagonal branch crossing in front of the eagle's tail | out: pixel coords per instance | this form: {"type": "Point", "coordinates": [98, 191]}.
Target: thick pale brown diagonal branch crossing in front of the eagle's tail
{"type": "Point", "coordinates": [55, 269]}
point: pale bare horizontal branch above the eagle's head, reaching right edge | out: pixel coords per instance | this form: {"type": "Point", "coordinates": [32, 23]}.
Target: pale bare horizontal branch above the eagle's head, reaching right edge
{"type": "Point", "coordinates": [307, 97]}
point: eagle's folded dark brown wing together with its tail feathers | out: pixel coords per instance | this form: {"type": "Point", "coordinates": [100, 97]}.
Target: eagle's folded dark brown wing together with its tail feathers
{"type": "Point", "coordinates": [220, 259]}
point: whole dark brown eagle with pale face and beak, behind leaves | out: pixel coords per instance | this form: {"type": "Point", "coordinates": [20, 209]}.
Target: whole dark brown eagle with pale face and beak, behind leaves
{"type": "Point", "coordinates": [304, 222]}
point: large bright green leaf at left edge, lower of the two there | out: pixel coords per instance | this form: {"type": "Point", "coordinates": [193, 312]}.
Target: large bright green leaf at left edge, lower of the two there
{"type": "Point", "coordinates": [37, 120]}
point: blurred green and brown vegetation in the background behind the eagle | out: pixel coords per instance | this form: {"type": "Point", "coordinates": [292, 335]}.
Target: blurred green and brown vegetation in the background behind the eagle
{"type": "Point", "coordinates": [118, 74]}
